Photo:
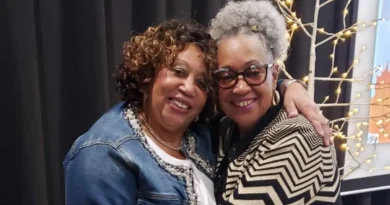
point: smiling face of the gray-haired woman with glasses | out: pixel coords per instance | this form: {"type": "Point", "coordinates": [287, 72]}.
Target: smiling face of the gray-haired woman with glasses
{"type": "Point", "coordinates": [243, 103]}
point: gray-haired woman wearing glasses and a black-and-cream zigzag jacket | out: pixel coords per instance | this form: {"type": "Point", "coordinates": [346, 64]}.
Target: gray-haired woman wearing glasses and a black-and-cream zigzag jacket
{"type": "Point", "coordinates": [264, 156]}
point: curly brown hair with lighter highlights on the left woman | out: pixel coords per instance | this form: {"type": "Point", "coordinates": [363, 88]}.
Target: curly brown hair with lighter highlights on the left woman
{"type": "Point", "coordinates": [159, 46]}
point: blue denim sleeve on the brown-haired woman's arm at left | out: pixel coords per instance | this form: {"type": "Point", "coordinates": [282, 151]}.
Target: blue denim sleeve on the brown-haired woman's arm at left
{"type": "Point", "coordinates": [99, 175]}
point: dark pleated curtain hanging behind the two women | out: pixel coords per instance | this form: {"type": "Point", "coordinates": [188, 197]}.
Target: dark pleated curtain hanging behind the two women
{"type": "Point", "coordinates": [58, 58]}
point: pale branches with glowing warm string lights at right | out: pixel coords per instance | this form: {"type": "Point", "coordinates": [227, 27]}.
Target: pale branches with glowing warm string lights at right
{"type": "Point", "coordinates": [355, 140]}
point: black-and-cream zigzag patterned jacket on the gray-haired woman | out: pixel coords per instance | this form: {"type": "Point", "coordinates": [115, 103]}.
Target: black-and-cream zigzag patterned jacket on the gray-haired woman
{"type": "Point", "coordinates": [283, 161]}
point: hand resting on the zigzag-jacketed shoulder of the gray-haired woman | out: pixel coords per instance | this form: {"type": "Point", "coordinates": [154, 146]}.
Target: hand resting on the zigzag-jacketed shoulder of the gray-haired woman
{"type": "Point", "coordinates": [297, 100]}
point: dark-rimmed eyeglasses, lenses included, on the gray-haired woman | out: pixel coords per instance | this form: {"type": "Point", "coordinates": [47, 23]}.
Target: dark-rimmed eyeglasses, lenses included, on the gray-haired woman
{"type": "Point", "coordinates": [254, 75]}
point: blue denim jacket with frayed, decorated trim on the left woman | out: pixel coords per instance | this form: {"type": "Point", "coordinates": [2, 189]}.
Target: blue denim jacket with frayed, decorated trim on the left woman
{"type": "Point", "coordinates": [113, 164]}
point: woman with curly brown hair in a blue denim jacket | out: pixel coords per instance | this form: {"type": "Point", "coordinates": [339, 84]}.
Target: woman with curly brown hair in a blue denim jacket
{"type": "Point", "coordinates": [154, 147]}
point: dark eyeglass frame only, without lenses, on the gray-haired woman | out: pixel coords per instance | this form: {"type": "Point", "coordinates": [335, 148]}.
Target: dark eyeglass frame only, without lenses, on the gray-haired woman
{"type": "Point", "coordinates": [267, 66]}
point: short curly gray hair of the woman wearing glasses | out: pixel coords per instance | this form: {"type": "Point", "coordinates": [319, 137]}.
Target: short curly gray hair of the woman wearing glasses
{"type": "Point", "coordinates": [253, 17]}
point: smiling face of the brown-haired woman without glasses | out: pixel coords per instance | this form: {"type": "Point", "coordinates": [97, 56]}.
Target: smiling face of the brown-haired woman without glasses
{"type": "Point", "coordinates": [178, 94]}
